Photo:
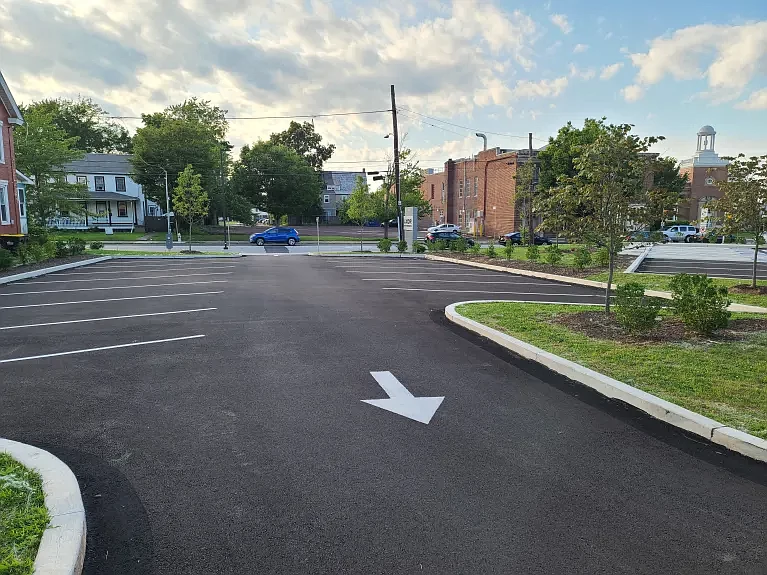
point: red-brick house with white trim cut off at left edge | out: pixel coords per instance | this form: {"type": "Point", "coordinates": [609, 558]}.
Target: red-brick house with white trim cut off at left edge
{"type": "Point", "coordinates": [13, 225]}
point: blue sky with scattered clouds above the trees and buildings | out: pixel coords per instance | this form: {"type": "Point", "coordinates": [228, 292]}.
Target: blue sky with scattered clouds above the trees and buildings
{"type": "Point", "coordinates": [502, 67]}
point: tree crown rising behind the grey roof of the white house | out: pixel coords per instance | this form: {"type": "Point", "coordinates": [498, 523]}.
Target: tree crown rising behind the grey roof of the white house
{"type": "Point", "coordinates": [85, 119]}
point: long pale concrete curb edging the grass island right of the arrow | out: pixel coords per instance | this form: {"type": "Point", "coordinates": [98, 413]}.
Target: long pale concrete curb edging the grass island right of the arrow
{"type": "Point", "coordinates": [671, 413]}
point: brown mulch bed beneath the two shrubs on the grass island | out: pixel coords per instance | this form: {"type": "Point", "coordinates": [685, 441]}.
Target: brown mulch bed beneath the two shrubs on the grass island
{"type": "Point", "coordinates": [598, 325]}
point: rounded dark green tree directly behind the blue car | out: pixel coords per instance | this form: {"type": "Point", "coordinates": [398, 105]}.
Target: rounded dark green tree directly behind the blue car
{"type": "Point", "coordinates": [277, 180]}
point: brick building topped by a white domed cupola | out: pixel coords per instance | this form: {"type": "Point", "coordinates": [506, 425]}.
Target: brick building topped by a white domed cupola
{"type": "Point", "coordinates": [703, 171]}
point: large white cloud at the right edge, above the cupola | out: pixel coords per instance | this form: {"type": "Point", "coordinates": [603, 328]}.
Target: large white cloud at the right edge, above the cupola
{"type": "Point", "coordinates": [728, 57]}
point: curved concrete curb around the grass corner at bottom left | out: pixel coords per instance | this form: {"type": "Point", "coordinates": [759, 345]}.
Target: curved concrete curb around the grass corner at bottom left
{"type": "Point", "coordinates": [62, 547]}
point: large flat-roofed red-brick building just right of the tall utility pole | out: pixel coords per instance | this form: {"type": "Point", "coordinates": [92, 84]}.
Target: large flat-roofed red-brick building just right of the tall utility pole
{"type": "Point", "coordinates": [477, 193]}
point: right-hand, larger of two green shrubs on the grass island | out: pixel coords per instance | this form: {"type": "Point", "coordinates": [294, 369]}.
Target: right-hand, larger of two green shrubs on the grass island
{"type": "Point", "coordinates": [700, 304]}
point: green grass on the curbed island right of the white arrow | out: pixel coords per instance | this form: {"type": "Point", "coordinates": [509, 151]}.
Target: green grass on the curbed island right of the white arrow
{"type": "Point", "coordinates": [724, 380]}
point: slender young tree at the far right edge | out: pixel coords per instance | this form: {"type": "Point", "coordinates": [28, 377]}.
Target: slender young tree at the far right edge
{"type": "Point", "coordinates": [745, 200]}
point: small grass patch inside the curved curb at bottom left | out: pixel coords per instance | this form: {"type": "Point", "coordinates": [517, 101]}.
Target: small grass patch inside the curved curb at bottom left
{"type": "Point", "coordinates": [23, 516]}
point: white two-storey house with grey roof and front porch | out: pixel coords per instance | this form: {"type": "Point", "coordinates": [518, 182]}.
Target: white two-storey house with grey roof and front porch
{"type": "Point", "coordinates": [115, 200]}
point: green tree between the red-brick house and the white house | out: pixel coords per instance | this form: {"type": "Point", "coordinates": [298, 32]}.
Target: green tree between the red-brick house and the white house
{"type": "Point", "coordinates": [42, 151]}
